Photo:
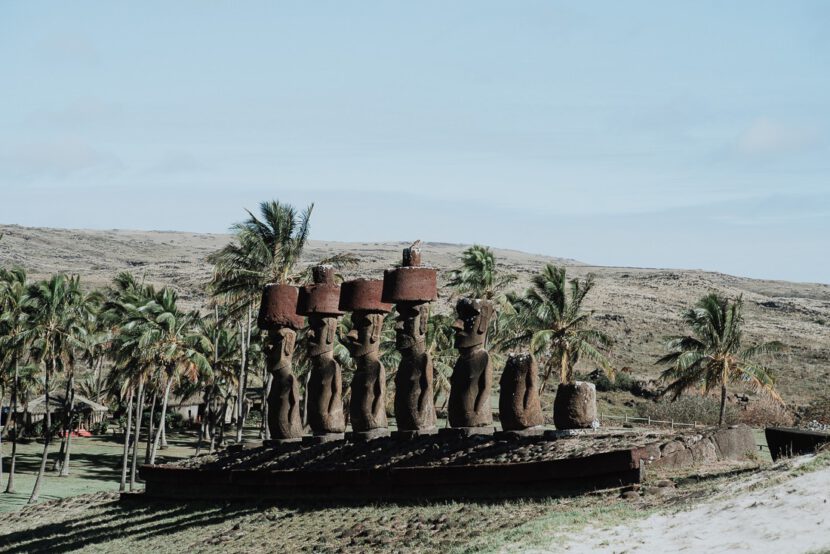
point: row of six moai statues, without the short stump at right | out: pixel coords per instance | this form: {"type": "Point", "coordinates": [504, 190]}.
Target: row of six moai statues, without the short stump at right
{"type": "Point", "coordinates": [411, 288]}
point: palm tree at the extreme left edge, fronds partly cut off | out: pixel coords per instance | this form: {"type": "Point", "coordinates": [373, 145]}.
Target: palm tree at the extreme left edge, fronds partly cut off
{"type": "Point", "coordinates": [14, 301]}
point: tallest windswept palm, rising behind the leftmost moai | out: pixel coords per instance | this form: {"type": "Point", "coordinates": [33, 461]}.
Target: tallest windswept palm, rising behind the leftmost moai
{"type": "Point", "coordinates": [263, 251]}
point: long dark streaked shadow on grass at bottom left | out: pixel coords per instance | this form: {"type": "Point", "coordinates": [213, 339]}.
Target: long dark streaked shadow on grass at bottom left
{"type": "Point", "coordinates": [116, 521]}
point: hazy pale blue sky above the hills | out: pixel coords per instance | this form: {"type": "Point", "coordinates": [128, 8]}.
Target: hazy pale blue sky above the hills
{"type": "Point", "coordinates": [658, 134]}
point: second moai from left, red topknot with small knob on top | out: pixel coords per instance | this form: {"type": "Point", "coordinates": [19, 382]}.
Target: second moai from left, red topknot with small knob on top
{"type": "Point", "coordinates": [319, 302]}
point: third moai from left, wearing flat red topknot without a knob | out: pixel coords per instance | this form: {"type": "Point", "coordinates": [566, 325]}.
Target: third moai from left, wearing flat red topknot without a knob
{"type": "Point", "coordinates": [367, 409]}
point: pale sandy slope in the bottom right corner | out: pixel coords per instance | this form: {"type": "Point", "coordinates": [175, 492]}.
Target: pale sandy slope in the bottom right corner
{"type": "Point", "coordinates": [791, 517]}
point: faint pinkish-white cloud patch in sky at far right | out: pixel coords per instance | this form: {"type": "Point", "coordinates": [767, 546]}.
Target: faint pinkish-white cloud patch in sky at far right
{"type": "Point", "coordinates": [766, 138]}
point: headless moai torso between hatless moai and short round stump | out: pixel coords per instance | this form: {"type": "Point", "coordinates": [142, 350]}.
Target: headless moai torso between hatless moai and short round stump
{"type": "Point", "coordinates": [520, 409]}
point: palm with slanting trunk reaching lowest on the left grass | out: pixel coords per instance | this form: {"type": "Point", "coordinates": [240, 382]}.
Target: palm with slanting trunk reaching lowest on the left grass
{"type": "Point", "coordinates": [54, 333]}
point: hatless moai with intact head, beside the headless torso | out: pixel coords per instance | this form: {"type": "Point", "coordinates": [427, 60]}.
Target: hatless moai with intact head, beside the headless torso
{"type": "Point", "coordinates": [472, 377]}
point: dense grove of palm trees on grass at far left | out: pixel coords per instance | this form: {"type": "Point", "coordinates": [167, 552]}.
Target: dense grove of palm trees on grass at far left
{"type": "Point", "coordinates": [123, 344]}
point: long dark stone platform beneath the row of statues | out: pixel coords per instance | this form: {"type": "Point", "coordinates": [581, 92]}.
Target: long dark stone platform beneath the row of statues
{"type": "Point", "coordinates": [440, 466]}
